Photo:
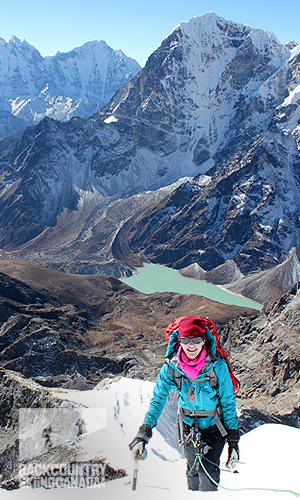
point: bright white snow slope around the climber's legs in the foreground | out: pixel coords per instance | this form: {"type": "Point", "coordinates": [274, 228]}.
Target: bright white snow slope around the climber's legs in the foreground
{"type": "Point", "coordinates": [269, 453]}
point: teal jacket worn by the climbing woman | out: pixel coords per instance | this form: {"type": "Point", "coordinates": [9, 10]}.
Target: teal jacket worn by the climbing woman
{"type": "Point", "coordinates": [204, 396]}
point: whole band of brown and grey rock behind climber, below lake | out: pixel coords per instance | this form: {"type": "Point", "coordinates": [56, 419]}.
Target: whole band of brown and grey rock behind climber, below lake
{"type": "Point", "coordinates": [70, 330]}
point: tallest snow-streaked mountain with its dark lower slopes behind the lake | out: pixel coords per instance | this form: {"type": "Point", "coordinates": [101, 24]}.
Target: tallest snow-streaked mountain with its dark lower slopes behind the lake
{"type": "Point", "coordinates": [217, 100]}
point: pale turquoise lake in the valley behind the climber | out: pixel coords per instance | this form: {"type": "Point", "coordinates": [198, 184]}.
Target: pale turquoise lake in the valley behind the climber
{"type": "Point", "coordinates": [154, 278]}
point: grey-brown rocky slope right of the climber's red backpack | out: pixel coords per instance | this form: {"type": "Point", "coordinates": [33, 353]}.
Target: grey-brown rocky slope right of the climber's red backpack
{"type": "Point", "coordinates": [265, 352]}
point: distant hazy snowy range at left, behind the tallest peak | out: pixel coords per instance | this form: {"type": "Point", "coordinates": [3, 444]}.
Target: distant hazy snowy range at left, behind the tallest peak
{"type": "Point", "coordinates": [76, 83]}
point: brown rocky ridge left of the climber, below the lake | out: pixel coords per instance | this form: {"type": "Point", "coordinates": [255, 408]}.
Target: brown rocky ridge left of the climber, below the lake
{"type": "Point", "coordinates": [71, 330]}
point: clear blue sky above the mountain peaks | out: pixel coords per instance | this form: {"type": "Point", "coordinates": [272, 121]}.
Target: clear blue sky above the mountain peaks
{"type": "Point", "coordinates": [135, 26]}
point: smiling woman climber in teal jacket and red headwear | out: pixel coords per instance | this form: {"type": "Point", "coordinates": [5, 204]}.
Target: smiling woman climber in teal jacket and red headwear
{"type": "Point", "coordinates": [207, 415]}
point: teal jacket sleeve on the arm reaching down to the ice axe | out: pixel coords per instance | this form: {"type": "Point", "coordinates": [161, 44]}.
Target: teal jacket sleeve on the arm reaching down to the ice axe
{"type": "Point", "coordinates": [164, 384]}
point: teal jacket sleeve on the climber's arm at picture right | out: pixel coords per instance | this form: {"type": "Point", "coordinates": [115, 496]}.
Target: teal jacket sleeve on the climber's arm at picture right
{"type": "Point", "coordinates": [226, 395]}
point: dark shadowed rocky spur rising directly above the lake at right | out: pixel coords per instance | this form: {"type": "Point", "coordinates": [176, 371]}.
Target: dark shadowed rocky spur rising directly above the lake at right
{"type": "Point", "coordinates": [247, 212]}
